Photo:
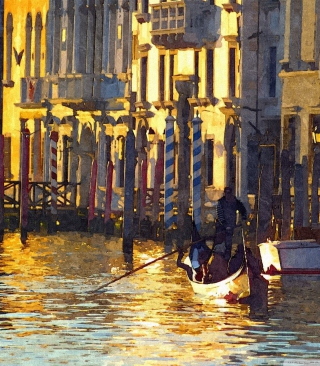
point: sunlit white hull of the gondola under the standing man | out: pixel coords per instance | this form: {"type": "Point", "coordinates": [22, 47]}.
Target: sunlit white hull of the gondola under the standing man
{"type": "Point", "coordinates": [236, 284]}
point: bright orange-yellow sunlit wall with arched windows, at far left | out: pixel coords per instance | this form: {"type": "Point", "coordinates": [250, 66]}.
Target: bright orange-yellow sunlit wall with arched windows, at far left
{"type": "Point", "coordinates": [20, 17]}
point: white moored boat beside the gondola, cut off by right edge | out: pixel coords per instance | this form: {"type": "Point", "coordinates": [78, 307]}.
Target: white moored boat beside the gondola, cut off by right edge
{"type": "Point", "coordinates": [291, 256]}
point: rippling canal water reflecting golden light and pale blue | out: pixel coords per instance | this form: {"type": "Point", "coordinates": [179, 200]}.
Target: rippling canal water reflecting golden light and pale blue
{"type": "Point", "coordinates": [48, 316]}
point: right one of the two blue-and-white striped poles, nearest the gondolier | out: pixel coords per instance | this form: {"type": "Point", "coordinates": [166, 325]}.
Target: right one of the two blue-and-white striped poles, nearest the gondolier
{"type": "Point", "coordinates": [196, 172]}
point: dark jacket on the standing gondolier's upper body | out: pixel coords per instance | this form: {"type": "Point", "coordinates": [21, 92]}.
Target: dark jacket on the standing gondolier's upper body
{"type": "Point", "coordinates": [226, 211]}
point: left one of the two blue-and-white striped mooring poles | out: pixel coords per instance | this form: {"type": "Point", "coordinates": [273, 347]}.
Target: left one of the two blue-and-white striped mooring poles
{"type": "Point", "coordinates": [169, 167]}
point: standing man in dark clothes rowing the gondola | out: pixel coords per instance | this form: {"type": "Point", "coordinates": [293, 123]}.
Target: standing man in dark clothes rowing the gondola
{"type": "Point", "coordinates": [227, 209]}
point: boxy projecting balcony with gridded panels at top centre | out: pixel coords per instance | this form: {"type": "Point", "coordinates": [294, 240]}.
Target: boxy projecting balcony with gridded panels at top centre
{"type": "Point", "coordinates": [181, 24]}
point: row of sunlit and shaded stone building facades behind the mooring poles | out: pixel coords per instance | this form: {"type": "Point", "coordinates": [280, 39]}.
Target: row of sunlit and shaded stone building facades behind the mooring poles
{"type": "Point", "coordinates": [92, 70]}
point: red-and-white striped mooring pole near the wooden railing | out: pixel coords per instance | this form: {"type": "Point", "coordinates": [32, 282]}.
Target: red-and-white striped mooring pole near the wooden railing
{"type": "Point", "coordinates": [54, 186]}
